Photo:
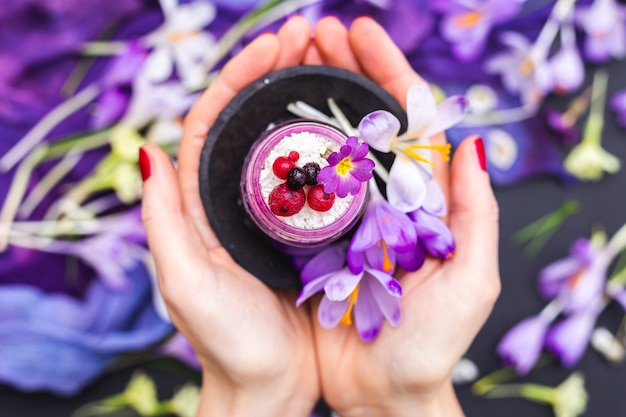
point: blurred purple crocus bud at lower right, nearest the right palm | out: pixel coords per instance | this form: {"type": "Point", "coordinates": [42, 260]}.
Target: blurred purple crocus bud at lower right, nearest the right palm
{"type": "Point", "coordinates": [522, 344]}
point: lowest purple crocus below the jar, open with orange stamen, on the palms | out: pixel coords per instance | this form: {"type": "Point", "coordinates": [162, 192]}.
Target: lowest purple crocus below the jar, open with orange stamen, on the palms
{"type": "Point", "coordinates": [368, 297]}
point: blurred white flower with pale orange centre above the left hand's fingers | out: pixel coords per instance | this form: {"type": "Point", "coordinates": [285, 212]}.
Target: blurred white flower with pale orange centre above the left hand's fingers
{"type": "Point", "coordinates": [181, 42]}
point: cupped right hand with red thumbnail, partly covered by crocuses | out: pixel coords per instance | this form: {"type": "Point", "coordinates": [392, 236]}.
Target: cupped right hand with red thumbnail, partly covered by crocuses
{"type": "Point", "coordinates": [406, 370]}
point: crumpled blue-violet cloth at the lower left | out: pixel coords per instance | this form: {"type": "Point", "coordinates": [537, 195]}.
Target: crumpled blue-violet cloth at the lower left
{"type": "Point", "coordinates": [79, 338]}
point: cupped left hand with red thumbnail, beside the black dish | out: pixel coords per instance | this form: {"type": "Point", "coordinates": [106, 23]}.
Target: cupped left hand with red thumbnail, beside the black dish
{"type": "Point", "coordinates": [256, 349]}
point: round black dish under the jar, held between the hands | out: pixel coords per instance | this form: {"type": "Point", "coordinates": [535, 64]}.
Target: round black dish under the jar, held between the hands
{"type": "Point", "coordinates": [241, 123]}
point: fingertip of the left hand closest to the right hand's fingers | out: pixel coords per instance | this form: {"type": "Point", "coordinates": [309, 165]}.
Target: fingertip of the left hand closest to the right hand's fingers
{"type": "Point", "coordinates": [294, 37]}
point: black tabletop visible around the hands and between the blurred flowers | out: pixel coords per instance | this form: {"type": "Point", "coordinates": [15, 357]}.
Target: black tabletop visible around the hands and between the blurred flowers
{"type": "Point", "coordinates": [601, 204]}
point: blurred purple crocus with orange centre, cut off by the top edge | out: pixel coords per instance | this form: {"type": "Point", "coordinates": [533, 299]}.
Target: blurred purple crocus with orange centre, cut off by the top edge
{"type": "Point", "coordinates": [467, 24]}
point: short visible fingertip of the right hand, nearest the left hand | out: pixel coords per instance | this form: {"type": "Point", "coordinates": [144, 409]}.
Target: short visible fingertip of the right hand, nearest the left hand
{"type": "Point", "coordinates": [331, 39]}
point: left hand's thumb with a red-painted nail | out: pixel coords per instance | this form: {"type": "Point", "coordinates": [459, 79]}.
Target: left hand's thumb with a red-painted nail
{"type": "Point", "coordinates": [169, 234]}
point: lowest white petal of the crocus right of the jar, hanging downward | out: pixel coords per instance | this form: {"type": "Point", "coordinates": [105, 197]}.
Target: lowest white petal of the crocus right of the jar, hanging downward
{"type": "Point", "coordinates": [406, 190]}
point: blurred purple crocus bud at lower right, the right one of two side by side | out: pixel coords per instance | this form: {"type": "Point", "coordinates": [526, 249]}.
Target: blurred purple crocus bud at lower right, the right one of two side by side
{"type": "Point", "coordinates": [569, 338]}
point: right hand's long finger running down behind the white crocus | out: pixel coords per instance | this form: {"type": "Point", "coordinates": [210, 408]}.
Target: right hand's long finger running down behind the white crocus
{"type": "Point", "coordinates": [383, 62]}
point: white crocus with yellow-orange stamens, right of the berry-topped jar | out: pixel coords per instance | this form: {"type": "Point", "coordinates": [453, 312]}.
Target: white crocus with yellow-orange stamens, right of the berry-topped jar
{"type": "Point", "coordinates": [412, 167]}
